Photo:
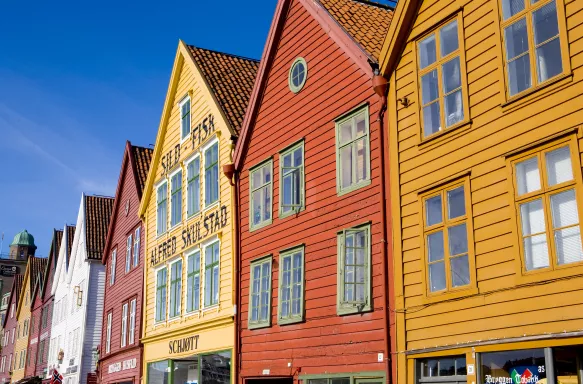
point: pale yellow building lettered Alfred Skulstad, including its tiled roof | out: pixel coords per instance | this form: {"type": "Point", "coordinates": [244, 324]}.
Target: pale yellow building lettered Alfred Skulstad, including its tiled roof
{"type": "Point", "coordinates": [188, 209]}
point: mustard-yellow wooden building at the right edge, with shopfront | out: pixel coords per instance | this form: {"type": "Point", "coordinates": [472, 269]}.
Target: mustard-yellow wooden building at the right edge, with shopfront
{"type": "Point", "coordinates": [484, 122]}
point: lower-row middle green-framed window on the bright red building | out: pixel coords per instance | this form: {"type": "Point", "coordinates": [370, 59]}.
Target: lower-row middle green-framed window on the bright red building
{"type": "Point", "coordinates": [291, 286]}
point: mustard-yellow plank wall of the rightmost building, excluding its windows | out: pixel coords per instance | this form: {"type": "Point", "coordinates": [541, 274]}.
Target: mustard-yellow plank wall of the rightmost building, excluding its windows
{"type": "Point", "coordinates": [504, 303]}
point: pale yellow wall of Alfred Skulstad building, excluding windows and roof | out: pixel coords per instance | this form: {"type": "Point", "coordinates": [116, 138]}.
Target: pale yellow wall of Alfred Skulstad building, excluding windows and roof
{"type": "Point", "coordinates": [186, 79]}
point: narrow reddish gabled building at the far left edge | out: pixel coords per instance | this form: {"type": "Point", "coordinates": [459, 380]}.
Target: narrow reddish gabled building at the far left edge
{"type": "Point", "coordinates": [10, 329]}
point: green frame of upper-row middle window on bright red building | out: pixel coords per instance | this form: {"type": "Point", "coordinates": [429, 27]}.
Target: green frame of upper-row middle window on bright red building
{"type": "Point", "coordinates": [285, 171]}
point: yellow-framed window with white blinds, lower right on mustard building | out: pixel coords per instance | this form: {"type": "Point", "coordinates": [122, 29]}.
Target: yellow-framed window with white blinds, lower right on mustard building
{"type": "Point", "coordinates": [547, 207]}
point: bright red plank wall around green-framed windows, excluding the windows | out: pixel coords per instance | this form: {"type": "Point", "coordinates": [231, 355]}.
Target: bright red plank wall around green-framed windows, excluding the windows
{"type": "Point", "coordinates": [325, 342]}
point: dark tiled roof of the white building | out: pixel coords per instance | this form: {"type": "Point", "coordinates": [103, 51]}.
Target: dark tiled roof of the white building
{"type": "Point", "coordinates": [97, 214]}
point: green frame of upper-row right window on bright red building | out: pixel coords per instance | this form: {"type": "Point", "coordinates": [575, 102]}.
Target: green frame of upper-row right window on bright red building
{"type": "Point", "coordinates": [359, 112]}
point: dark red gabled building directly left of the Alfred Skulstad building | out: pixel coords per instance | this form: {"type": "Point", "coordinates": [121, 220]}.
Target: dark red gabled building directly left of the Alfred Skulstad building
{"type": "Point", "coordinates": [121, 347]}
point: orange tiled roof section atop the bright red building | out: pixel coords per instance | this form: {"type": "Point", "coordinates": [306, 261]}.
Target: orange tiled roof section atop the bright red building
{"type": "Point", "coordinates": [365, 21]}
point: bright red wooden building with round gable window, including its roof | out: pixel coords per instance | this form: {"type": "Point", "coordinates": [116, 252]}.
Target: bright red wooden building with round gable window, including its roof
{"type": "Point", "coordinates": [313, 259]}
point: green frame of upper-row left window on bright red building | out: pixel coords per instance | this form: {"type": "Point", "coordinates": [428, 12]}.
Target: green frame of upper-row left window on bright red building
{"type": "Point", "coordinates": [267, 188]}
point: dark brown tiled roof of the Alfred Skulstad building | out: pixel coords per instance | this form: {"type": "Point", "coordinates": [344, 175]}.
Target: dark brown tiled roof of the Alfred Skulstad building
{"type": "Point", "coordinates": [231, 79]}
